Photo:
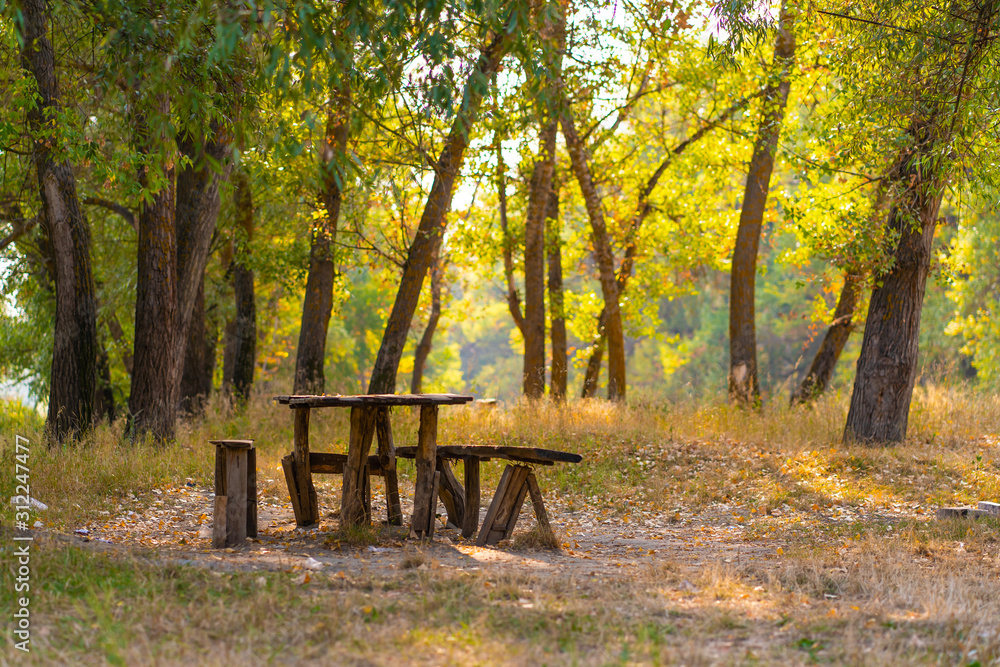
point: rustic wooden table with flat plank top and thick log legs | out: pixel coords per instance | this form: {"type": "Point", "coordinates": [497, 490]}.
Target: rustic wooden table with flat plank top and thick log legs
{"type": "Point", "coordinates": [369, 415]}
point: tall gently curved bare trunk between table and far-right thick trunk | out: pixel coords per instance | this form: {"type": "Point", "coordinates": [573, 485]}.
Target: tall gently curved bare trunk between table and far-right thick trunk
{"type": "Point", "coordinates": [744, 387]}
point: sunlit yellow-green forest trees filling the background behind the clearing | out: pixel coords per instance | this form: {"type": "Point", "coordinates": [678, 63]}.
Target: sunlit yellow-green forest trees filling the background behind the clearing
{"type": "Point", "coordinates": [289, 151]}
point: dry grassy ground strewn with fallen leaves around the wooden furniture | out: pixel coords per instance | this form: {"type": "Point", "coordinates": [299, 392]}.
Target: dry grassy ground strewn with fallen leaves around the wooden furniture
{"type": "Point", "coordinates": [688, 536]}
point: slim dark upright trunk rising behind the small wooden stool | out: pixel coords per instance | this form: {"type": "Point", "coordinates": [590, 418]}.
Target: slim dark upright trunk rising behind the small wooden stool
{"type": "Point", "coordinates": [245, 330]}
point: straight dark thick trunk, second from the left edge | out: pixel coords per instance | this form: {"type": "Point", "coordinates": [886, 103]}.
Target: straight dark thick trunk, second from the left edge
{"type": "Point", "coordinates": [152, 401]}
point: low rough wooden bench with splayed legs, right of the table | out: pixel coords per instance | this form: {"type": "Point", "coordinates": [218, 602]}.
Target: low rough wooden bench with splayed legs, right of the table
{"type": "Point", "coordinates": [516, 481]}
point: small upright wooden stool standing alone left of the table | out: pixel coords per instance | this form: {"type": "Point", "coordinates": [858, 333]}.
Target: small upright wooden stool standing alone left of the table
{"type": "Point", "coordinates": [235, 514]}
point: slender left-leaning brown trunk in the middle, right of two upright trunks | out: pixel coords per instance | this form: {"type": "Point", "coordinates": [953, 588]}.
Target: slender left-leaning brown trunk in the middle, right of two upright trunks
{"type": "Point", "coordinates": [605, 259]}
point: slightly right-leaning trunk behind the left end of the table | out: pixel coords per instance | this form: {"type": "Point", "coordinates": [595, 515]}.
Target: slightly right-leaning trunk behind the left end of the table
{"type": "Point", "coordinates": [318, 302]}
